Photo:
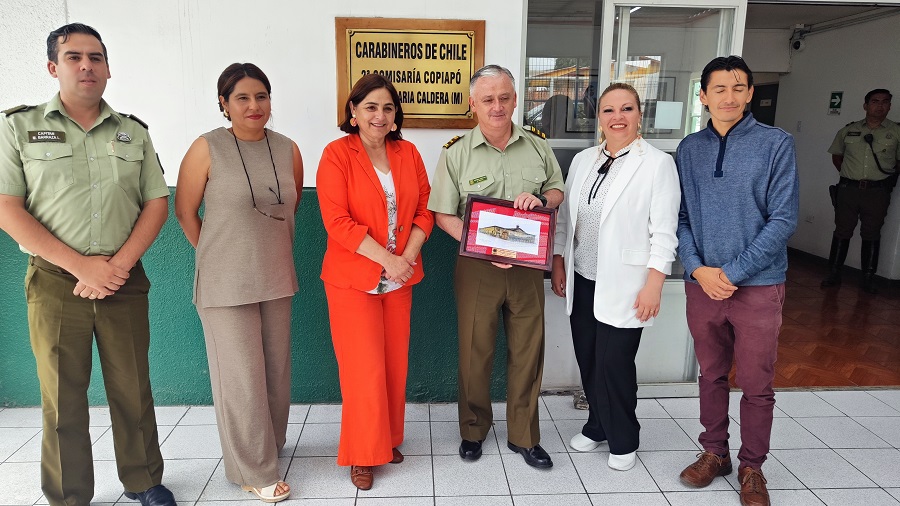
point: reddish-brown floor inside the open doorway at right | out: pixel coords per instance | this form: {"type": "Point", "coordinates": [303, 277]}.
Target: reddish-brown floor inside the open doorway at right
{"type": "Point", "coordinates": [836, 337]}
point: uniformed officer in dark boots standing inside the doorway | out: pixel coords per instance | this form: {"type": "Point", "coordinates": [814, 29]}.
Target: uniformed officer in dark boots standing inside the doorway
{"type": "Point", "coordinates": [866, 153]}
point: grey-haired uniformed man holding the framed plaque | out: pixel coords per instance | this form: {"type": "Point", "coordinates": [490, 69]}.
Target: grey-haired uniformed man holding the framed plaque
{"type": "Point", "coordinates": [502, 160]}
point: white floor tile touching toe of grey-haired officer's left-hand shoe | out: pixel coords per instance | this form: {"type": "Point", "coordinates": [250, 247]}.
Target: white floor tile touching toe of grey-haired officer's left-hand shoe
{"type": "Point", "coordinates": [456, 477]}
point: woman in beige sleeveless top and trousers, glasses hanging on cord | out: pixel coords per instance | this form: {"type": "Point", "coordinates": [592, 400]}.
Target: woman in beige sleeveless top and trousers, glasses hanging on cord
{"type": "Point", "coordinates": [249, 179]}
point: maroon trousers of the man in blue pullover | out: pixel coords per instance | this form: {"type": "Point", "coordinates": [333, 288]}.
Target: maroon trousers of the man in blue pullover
{"type": "Point", "coordinates": [743, 327]}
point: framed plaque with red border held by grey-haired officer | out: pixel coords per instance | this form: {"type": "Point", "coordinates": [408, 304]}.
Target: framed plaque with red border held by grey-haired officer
{"type": "Point", "coordinates": [495, 231]}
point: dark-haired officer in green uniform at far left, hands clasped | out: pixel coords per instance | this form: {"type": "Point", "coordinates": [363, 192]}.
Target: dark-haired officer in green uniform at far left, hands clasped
{"type": "Point", "coordinates": [82, 191]}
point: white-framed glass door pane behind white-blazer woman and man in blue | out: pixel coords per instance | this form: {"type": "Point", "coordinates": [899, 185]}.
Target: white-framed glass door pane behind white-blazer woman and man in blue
{"type": "Point", "coordinates": [660, 48]}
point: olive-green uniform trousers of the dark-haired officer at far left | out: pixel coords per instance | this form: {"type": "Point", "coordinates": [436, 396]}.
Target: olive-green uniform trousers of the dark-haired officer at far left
{"type": "Point", "coordinates": [62, 327]}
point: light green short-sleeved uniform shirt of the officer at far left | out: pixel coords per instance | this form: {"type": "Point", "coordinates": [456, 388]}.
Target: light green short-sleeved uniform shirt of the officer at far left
{"type": "Point", "coordinates": [86, 188]}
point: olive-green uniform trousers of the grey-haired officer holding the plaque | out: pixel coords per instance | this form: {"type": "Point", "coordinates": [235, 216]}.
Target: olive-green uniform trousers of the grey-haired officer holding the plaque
{"type": "Point", "coordinates": [482, 291]}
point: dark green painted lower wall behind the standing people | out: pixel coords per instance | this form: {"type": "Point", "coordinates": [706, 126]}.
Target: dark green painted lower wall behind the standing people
{"type": "Point", "coordinates": [179, 371]}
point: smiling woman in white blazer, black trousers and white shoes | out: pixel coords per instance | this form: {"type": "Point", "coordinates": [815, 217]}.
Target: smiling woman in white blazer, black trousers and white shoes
{"type": "Point", "coordinates": [616, 232]}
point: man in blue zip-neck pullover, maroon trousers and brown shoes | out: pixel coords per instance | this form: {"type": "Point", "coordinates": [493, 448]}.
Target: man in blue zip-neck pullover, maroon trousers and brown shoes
{"type": "Point", "coordinates": [738, 209]}
